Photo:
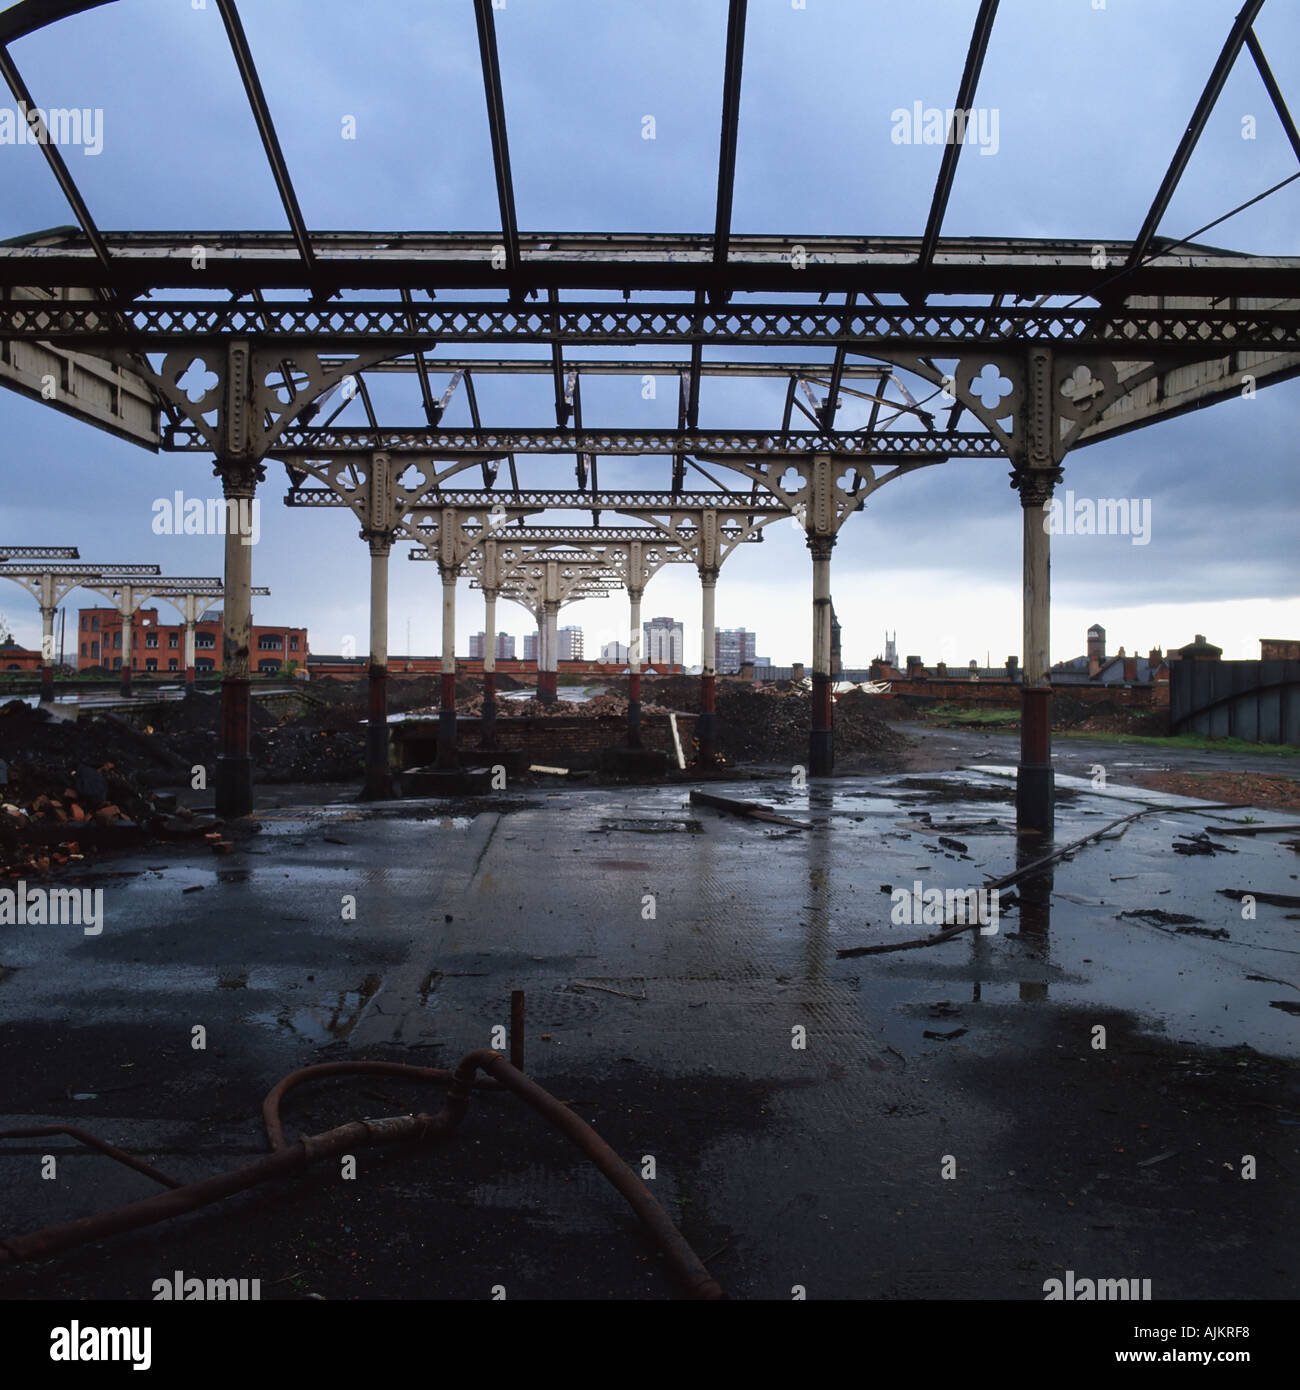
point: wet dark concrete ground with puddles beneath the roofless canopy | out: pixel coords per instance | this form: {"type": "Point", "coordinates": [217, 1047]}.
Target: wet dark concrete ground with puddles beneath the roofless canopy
{"type": "Point", "coordinates": [672, 1035]}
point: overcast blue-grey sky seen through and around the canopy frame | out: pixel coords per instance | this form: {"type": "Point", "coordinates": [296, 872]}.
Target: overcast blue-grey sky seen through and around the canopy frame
{"type": "Point", "coordinates": [1091, 104]}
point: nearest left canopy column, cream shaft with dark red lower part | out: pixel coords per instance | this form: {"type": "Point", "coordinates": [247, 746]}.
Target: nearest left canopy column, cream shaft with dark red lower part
{"type": "Point", "coordinates": [234, 785]}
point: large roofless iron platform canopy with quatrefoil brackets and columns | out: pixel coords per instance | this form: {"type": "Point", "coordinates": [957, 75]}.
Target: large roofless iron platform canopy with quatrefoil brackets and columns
{"type": "Point", "coordinates": [1084, 351]}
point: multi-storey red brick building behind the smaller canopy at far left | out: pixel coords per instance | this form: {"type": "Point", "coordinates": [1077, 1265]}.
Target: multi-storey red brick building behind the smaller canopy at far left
{"type": "Point", "coordinates": [161, 647]}
